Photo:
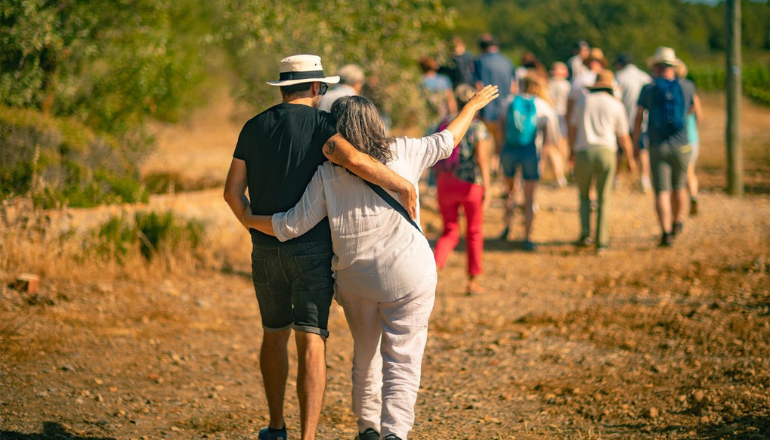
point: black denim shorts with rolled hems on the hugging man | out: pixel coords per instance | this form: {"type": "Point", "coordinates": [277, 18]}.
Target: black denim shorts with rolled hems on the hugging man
{"type": "Point", "coordinates": [294, 285]}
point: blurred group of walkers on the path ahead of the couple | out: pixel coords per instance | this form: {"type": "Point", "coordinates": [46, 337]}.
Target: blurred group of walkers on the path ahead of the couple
{"type": "Point", "coordinates": [584, 120]}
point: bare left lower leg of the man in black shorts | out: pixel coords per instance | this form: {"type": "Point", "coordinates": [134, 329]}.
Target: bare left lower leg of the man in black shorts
{"type": "Point", "coordinates": [274, 364]}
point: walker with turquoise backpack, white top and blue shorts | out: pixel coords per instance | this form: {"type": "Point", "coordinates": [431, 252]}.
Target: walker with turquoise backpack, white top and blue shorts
{"type": "Point", "coordinates": [527, 126]}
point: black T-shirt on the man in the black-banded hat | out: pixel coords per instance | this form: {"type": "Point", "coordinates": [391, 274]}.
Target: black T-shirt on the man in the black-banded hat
{"type": "Point", "coordinates": [282, 148]}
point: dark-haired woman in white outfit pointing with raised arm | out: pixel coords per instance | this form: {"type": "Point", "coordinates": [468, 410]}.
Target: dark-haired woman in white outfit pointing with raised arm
{"type": "Point", "coordinates": [385, 274]}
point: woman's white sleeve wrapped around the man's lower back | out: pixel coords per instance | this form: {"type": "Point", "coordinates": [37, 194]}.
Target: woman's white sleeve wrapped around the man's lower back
{"type": "Point", "coordinates": [307, 213]}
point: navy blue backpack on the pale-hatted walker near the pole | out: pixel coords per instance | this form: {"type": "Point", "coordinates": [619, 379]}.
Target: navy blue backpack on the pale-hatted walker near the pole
{"type": "Point", "coordinates": [667, 115]}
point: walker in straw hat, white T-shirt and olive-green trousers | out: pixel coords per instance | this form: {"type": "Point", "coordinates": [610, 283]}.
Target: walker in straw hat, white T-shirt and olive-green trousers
{"type": "Point", "coordinates": [601, 124]}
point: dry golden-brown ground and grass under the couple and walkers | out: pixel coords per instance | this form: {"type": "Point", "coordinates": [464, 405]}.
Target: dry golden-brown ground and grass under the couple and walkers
{"type": "Point", "coordinates": [640, 343]}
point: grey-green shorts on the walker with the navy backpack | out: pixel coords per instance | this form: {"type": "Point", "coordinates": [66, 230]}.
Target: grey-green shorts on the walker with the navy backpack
{"type": "Point", "coordinates": [669, 166]}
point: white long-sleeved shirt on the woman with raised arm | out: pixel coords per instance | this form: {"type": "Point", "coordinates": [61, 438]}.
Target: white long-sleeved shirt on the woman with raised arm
{"type": "Point", "coordinates": [378, 255]}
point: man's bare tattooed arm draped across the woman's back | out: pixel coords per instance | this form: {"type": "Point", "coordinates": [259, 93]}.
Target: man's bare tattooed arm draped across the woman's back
{"type": "Point", "coordinates": [341, 152]}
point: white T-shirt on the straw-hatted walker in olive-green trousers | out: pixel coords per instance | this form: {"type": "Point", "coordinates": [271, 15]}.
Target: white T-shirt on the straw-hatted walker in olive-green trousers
{"type": "Point", "coordinates": [599, 119]}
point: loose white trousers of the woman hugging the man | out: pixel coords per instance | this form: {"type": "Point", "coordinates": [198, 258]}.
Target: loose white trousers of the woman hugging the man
{"type": "Point", "coordinates": [388, 341]}
